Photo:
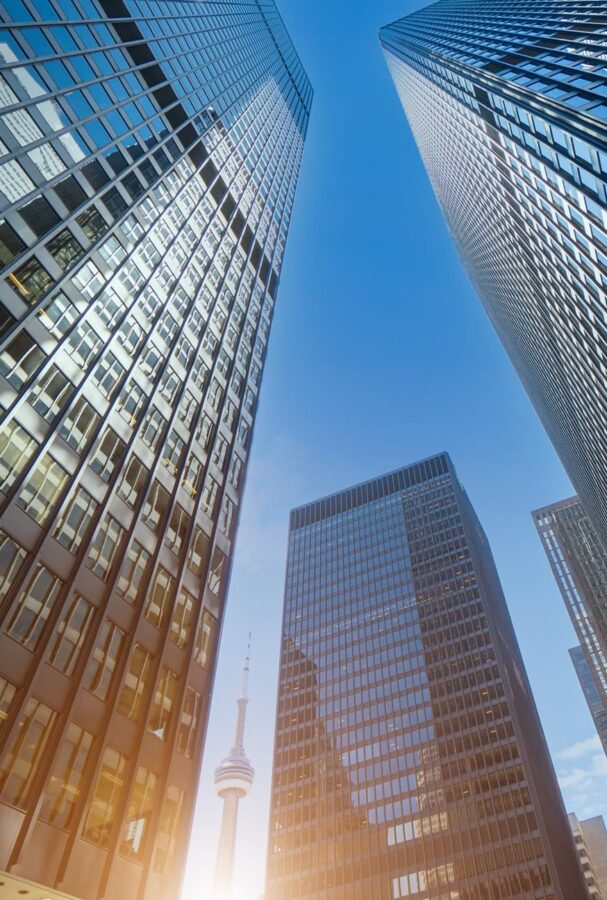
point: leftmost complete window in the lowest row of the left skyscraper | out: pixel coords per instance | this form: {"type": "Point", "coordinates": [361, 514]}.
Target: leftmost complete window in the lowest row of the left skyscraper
{"type": "Point", "coordinates": [24, 752]}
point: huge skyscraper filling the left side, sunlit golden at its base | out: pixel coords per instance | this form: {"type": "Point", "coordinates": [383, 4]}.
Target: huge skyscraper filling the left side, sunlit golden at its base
{"type": "Point", "coordinates": [150, 155]}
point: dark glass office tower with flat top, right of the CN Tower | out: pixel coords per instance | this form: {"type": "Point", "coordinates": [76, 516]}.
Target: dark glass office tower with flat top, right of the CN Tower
{"type": "Point", "coordinates": [409, 758]}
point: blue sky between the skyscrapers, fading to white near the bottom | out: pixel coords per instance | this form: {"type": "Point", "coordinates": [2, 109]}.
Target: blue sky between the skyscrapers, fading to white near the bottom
{"type": "Point", "coordinates": [380, 354]}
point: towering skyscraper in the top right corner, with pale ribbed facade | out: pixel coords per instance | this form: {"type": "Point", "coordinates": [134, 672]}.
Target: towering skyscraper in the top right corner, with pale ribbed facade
{"type": "Point", "coordinates": [508, 106]}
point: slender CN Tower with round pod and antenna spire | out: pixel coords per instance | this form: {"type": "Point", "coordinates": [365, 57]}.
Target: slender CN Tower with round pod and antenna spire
{"type": "Point", "coordinates": [233, 781]}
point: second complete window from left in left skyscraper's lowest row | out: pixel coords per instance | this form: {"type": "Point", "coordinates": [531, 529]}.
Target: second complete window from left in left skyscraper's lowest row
{"type": "Point", "coordinates": [65, 784]}
